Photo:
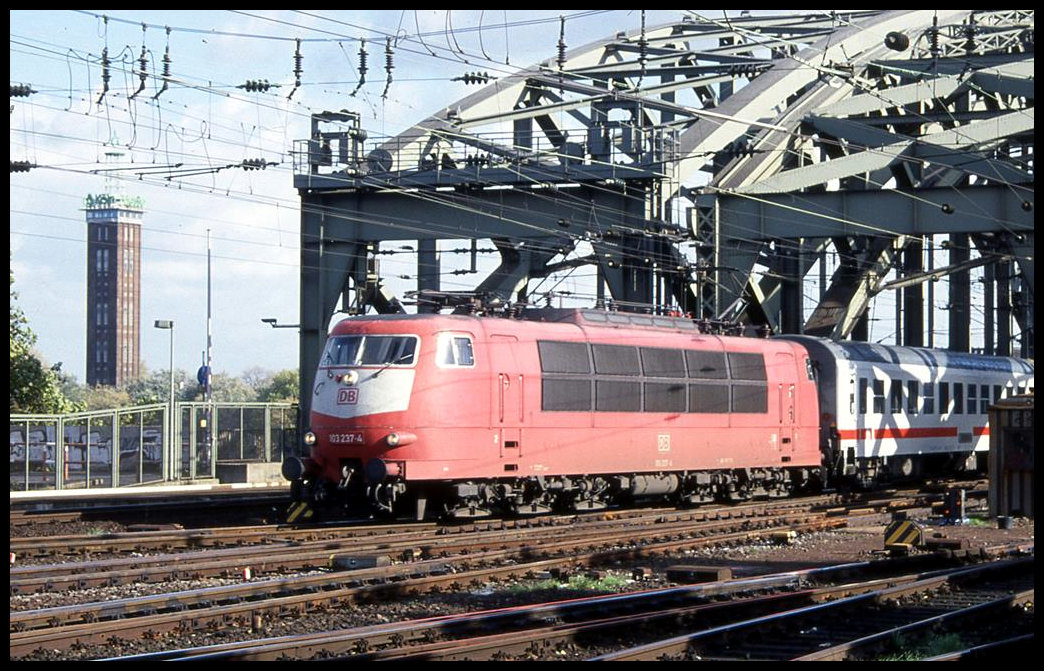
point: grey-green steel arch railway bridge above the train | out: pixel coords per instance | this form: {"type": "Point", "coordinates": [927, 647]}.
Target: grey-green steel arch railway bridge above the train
{"type": "Point", "coordinates": [708, 166]}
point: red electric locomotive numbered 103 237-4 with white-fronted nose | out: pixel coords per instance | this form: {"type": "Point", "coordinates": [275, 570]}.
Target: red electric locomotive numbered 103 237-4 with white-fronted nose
{"type": "Point", "coordinates": [560, 411]}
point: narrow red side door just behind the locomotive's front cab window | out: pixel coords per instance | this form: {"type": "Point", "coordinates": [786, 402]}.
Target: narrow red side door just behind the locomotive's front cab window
{"type": "Point", "coordinates": [508, 403]}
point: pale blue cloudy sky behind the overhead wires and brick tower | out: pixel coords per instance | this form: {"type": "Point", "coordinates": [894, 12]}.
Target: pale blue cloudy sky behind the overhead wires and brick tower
{"type": "Point", "coordinates": [202, 122]}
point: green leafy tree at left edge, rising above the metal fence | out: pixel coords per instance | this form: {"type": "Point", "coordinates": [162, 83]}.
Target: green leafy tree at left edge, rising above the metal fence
{"type": "Point", "coordinates": [34, 387]}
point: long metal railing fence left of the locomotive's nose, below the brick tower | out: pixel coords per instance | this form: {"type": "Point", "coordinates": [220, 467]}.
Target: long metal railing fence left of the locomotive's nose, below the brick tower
{"type": "Point", "coordinates": [135, 446]}
